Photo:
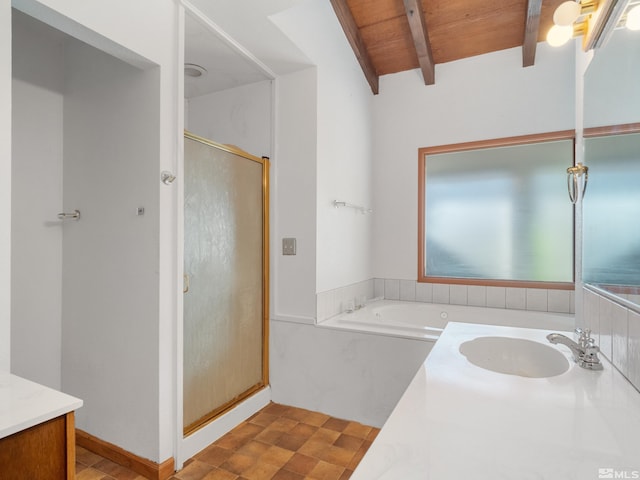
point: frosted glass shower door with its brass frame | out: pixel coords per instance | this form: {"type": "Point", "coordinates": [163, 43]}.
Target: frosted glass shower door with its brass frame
{"type": "Point", "coordinates": [226, 279]}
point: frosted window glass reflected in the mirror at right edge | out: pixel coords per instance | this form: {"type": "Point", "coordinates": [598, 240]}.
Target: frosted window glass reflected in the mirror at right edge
{"type": "Point", "coordinates": [611, 231]}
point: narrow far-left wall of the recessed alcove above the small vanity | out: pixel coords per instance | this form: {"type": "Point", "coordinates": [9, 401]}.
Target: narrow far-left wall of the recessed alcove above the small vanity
{"type": "Point", "coordinates": [36, 233]}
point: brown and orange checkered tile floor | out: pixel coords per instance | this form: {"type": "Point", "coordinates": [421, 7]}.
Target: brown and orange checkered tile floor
{"type": "Point", "coordinates": [277, 443]}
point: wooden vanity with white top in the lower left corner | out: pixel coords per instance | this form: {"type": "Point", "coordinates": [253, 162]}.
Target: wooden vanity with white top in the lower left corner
{"type": "Point", "coordinates": [37, 433]}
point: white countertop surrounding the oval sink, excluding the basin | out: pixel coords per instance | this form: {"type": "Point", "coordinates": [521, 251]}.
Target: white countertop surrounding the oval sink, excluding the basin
{"type": "Point", "coordinates": [457, 421]}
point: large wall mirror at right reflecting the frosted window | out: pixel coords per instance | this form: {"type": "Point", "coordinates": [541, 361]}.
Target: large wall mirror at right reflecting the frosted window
{"type": "Point", "coordinates": [611, 208]}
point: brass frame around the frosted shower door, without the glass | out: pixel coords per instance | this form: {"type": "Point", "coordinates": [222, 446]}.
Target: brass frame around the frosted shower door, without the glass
{"type": "Point", "coordinates": [264, 161]}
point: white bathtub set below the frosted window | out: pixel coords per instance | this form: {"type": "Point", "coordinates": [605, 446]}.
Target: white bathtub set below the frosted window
{"type": "Point", "coordinates": [427, 320]}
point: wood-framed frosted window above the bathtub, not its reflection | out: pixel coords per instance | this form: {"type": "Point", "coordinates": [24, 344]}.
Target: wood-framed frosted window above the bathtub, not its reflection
{"type": "Point", "coordinates": [497, 212]}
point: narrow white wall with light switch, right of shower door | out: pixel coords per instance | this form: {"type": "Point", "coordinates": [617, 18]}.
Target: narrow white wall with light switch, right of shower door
{"type": "Point", "coordinates": [294, 196]}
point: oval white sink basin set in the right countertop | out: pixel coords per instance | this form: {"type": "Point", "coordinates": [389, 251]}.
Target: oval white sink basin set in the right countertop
{"type": "Point", "coordinates": [515, 356]}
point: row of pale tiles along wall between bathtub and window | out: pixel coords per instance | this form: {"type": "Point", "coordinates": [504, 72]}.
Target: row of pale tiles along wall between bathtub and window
{"type": "Point", "coordinates": [334, 302]}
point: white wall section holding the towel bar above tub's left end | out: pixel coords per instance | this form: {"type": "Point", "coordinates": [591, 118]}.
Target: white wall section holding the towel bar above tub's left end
{"type": "Point", "coordinates": [343, 144]}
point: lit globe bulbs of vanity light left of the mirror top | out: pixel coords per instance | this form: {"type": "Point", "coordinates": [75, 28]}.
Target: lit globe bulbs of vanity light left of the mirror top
{"type": "Point", "coordinates": [571, 19]}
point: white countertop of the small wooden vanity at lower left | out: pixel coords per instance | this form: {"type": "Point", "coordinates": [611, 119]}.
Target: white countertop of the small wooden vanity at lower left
{"type": "Point", "coordinates": [24, 404]}
